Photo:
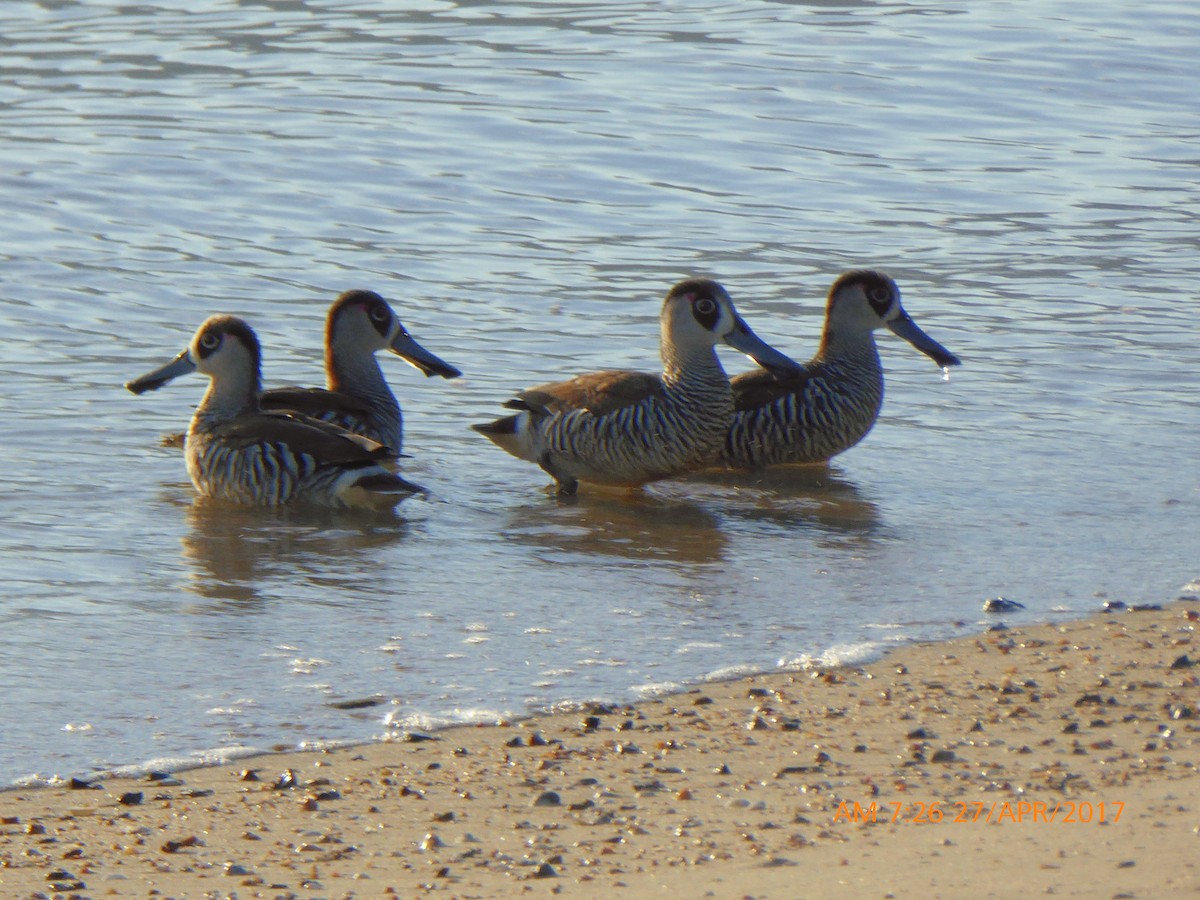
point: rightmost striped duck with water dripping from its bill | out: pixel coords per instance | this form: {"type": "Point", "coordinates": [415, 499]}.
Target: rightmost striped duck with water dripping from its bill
{"type": "Point", "coordinates": [832, 403]}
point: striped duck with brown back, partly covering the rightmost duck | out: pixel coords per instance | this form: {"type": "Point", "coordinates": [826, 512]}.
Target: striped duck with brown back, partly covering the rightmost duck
{"type": "Point", "coordinates": [627, 429]}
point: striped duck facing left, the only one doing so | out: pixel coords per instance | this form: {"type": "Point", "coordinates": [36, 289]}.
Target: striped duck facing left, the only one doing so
{"type": "Point", "coordinates": [238, 452]}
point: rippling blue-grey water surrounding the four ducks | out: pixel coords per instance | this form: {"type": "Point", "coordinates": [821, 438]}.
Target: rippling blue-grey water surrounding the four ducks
{"type": "Point", "coordinates": [526, 182]}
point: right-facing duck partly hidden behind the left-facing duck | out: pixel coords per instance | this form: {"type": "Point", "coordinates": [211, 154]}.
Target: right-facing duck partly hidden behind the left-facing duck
{"type": "Point", "coordinates": [356, 397]}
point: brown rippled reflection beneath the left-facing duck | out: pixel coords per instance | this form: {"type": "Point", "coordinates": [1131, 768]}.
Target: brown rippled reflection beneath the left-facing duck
{"type": "Point", "coordinates": [235, 550]}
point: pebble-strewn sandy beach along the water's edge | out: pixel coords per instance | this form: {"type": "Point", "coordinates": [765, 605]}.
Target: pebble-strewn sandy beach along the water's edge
{"type": "Point", "coordinates": [1045, 760]}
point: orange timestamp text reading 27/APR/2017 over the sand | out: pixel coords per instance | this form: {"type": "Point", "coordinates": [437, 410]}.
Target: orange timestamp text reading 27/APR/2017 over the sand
{"type": "Point", "coordinates": [999, 812]}
